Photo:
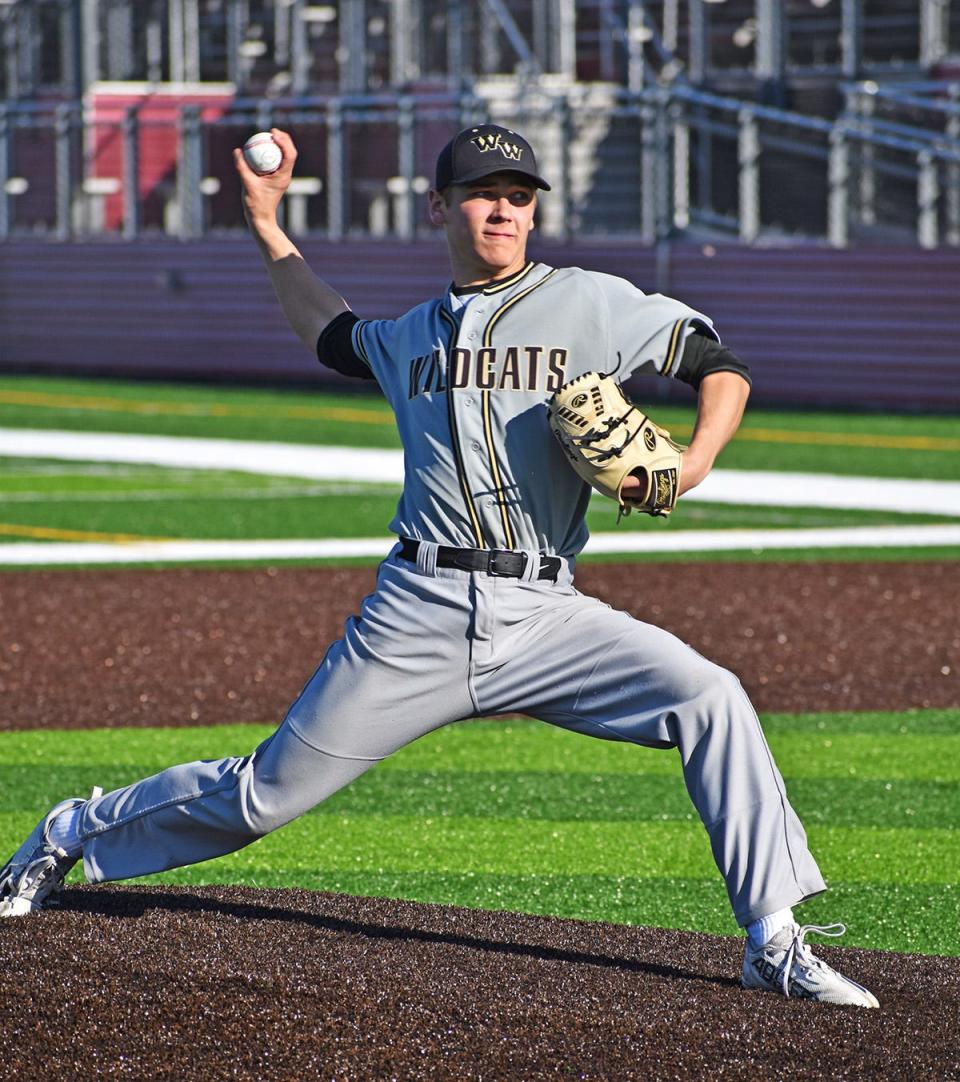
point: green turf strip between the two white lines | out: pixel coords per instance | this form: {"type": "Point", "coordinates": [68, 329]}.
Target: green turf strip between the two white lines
{"type": "Point", "coordinates": [156, 503]}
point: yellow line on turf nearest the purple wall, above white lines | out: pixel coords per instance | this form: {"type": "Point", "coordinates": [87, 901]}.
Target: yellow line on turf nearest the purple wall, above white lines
{"type": "Point", "coordinates": [46, 401]}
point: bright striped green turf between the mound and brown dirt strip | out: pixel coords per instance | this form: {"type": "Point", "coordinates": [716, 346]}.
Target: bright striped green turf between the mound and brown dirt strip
{"type": "Point", "coordinates": [521, 816]}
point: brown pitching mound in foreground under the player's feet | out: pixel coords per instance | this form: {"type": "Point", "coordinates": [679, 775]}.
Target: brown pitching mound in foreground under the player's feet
{"type": "Point", "coordinates": [236, 984]}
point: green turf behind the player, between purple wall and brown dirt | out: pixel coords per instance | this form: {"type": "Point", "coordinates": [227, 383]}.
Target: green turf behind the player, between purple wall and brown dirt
{"type": "Point", "coordinates": [46, 500]}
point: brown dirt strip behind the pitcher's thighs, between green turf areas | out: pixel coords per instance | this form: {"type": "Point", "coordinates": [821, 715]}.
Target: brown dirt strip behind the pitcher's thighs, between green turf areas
{"type": "Point", "coordinates": [193, 648]}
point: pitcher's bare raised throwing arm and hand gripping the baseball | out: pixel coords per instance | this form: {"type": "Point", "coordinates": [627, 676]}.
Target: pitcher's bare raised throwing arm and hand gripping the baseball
{"type": "Point", "coordinates": [309, 304]}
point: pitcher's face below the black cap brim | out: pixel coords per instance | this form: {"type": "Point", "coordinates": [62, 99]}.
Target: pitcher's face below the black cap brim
{"type": "Point", "coordinates": [488, 223]}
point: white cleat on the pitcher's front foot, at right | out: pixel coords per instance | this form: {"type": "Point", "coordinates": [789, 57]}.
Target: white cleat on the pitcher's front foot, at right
{"type": "Point", "coordinates": [786, 965]}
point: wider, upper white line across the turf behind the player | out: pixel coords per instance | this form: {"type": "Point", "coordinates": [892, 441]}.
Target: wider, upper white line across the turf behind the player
{"type": "Point", "coordinates": [743, 487]}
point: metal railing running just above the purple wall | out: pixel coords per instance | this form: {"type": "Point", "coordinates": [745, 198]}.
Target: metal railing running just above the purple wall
{"type": "Point", "coordinates": [650, 165]}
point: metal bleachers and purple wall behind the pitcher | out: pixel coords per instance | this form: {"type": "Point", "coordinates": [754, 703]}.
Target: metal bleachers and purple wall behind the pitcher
{"type": "Point", "coordinates": [811, 147]}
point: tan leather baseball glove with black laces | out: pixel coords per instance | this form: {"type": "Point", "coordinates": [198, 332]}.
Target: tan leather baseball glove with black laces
{"type": "Point", "coordinates": [608, 439]}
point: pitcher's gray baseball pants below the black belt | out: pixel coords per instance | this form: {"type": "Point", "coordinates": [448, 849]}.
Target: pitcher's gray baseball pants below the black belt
{"type": "Point", "coordinates": [433, 646]}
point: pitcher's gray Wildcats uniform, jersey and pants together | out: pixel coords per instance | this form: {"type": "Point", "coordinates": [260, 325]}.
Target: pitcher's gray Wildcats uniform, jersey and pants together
{"type": "Point", "coordinates": [469, 381]}
